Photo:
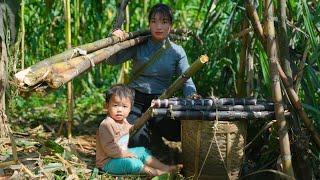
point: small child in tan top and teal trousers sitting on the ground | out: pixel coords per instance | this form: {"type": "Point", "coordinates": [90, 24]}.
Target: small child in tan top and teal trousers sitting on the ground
{"type": "Point", "coordinates": [112, 153]}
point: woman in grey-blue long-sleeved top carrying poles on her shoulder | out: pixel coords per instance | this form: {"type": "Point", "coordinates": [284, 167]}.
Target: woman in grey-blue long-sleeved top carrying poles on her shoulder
{"type": "Point", "coordinates": [156, 77]}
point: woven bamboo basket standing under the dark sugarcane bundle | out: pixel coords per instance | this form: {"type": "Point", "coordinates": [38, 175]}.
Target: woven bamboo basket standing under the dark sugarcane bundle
{"type": "Point", "coordinates": [213, 153]}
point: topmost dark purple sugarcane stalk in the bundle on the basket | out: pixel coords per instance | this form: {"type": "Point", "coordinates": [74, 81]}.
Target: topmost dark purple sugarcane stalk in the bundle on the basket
{"type": "Point", "coordinates": [209, 102]}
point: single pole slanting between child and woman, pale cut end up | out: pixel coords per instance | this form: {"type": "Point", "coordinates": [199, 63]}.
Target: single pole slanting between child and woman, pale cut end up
{"type": "Point", "coordinates": [170, 91]}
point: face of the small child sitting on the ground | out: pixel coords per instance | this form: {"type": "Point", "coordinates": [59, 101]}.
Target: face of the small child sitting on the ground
{"type": "Point", "coordinates": [118, 108]}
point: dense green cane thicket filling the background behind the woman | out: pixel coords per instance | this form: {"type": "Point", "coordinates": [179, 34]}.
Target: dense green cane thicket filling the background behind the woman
{"type": "Point", "coordinates": [262, 49]}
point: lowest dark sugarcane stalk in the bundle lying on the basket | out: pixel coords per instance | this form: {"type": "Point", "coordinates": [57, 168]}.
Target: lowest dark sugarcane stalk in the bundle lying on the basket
{"type": "Point", "coordinates": [213, 115]}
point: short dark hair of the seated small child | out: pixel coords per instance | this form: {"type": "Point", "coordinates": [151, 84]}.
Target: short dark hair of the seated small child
{"type": "Point", "coordinates": [122, 91]}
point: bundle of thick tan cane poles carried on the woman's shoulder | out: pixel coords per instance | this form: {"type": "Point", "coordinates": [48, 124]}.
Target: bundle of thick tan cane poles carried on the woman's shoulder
{"type": "Point", "coordinates": [53, 72]}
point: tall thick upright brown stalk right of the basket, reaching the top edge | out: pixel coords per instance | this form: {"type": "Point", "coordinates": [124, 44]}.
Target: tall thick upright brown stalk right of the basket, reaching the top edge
{"type": "Point", "coordinates": [276, 90]}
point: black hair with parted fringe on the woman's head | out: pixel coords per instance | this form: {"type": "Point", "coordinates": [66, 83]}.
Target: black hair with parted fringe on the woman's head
{"type": "Point", "coordinates": [164, 10]}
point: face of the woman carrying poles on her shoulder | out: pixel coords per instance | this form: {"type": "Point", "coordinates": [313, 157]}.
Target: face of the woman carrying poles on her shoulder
{"type": "Point", "coordinates": [160, 27]}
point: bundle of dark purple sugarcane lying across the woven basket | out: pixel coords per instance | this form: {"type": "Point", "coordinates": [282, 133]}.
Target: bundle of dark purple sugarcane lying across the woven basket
{"type": "Point", "coordinates": [212, 109]}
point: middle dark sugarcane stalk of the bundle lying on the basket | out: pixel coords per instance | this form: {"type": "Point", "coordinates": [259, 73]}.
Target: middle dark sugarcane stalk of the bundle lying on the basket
{"type": "Point", "coordinates": [258, 107]}
